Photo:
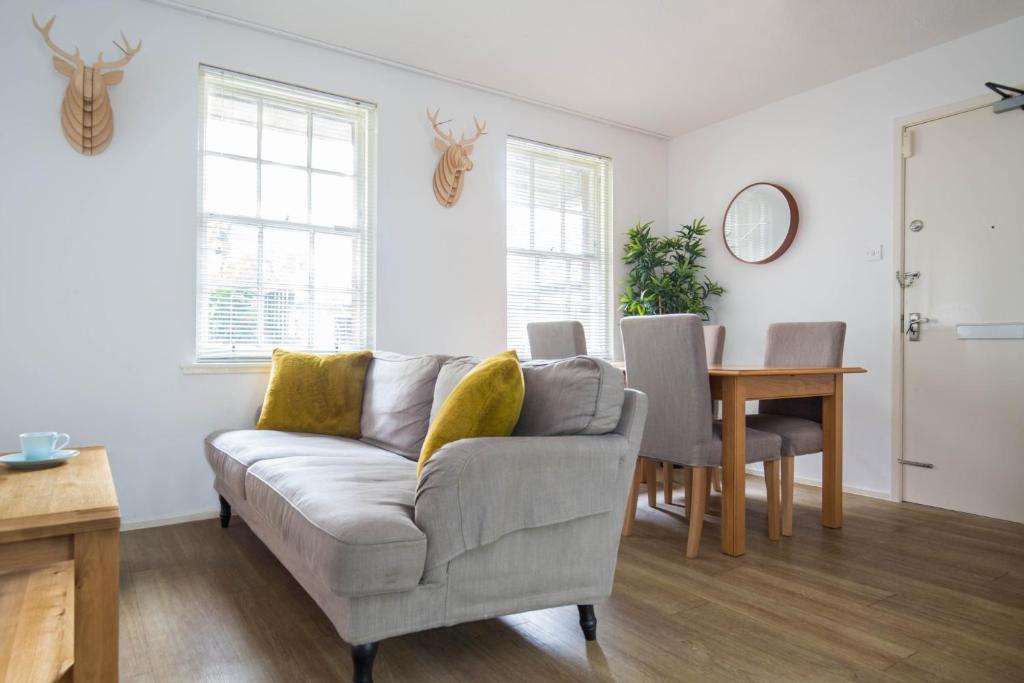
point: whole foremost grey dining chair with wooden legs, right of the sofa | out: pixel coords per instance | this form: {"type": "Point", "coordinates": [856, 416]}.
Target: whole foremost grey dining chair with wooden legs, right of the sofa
{"type": "Point", "coordinates": [665, 359]}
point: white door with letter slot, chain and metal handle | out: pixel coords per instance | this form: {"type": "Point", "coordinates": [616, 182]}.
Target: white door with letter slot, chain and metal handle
{"type": "Point", "coordinates": [964, 377]}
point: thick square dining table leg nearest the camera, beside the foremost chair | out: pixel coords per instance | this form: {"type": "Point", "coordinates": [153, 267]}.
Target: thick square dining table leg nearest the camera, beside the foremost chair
{"type": "Point", "coordinates": [734, 467]}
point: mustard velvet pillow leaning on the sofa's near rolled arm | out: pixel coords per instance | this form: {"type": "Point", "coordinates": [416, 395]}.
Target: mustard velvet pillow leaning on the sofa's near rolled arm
{"type": "Point", "coordinates": [485, 403]}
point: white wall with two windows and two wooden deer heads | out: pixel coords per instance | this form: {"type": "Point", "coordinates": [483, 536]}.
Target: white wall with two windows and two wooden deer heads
{"type": "Point", "coordinates": [98, 254]}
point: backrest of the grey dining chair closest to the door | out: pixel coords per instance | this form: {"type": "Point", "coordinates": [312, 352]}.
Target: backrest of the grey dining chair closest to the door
{"type": "Point", "coordinates": [803, 346]}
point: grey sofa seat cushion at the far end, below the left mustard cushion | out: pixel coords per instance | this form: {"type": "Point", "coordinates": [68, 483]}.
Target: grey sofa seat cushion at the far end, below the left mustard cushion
{"type": "Point", "coordinates": [232, 453]}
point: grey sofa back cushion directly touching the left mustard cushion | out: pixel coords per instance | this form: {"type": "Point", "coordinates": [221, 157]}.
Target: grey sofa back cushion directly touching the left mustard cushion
{"type": "Point", "coordinates": [397, 402]}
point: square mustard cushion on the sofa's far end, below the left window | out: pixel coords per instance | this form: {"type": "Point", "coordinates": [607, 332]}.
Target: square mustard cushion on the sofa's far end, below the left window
{"type": "Point", "coordinates": [315, 394]}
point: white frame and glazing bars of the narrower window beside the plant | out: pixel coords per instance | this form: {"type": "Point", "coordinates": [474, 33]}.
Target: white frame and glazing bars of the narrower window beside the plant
{"type": "Point", "coordinates": [603, 344]}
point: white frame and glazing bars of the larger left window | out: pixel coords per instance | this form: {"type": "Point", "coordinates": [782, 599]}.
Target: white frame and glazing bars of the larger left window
{"type": "Point", "coordinates": [363, 117]}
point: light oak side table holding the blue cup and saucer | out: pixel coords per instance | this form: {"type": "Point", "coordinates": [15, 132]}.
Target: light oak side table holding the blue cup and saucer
{"type": "Point", "coordinates": [70, 514]}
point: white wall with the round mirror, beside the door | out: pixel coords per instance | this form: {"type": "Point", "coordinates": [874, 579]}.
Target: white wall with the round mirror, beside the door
{"type": "Point", "coordinates": [834, 149]}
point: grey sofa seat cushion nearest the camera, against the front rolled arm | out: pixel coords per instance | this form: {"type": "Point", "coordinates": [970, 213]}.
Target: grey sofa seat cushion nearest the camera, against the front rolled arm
{"type": "Point", "coordinates": [349, 521]}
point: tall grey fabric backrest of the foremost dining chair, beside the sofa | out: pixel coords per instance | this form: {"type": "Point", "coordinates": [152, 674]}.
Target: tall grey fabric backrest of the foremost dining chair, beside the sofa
{"type": "Point", "coordinates": [665, 359]}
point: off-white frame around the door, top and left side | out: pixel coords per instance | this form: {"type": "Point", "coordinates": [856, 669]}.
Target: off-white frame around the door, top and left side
{"type": "Point", "coordinates": [900, 179]}
